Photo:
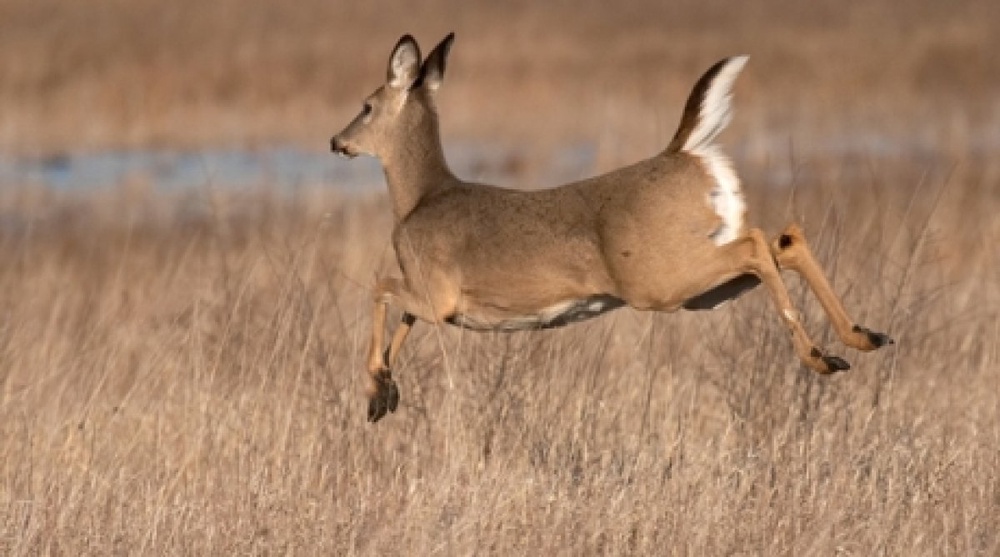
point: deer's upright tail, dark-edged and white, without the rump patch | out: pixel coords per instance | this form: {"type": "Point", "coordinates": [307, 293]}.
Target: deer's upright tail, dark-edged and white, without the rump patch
{"type": "Point", "coordinates": [708, 108]}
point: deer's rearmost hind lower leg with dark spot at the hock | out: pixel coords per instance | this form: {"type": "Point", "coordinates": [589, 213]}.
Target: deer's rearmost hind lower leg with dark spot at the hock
{"type": "Point", "coordinates": [791, 252]}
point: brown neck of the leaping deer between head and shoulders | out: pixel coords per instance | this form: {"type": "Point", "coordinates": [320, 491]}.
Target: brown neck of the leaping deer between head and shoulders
{"type": "Point", "coordinates": [416, 169]}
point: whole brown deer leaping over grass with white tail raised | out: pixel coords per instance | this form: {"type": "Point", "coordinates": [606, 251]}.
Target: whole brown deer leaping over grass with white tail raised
{"type": "Point", "coordinates": [663, 234]}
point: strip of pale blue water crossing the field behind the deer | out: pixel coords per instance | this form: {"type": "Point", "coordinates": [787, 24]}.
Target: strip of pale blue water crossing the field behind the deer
{"type": "Point", "coordinates": [289, 167]}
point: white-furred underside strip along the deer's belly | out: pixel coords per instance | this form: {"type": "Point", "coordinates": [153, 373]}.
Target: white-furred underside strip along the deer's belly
{"type": "Point", "coordinates": [556, 315]}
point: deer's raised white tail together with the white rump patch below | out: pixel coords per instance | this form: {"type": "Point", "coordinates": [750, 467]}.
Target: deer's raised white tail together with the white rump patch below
{"type": "Point", "coordinates": [707, 112]}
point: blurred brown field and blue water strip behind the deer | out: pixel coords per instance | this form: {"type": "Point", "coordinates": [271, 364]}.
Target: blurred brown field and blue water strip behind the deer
{"type": "Point", "coordinates": [91, 92]}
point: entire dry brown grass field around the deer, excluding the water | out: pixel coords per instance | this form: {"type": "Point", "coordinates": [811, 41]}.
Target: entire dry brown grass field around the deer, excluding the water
{"type": "Point", "coordinates": [181, 372]}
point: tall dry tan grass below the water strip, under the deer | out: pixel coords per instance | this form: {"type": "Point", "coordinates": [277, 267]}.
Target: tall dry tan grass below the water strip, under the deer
{"type": "Point", "coordinates": [183, 375]}
